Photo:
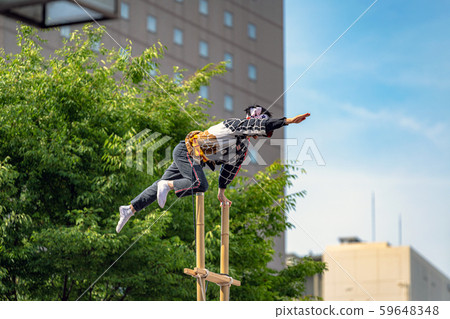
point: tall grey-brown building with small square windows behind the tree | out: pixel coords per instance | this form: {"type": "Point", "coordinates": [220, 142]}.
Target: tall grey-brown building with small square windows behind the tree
{"type": "Point", "coordinates": [248, 34]}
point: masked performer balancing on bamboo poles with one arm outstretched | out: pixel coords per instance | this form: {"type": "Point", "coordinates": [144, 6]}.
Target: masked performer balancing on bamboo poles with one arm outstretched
{"type": "Point", "coordinates": [223, 144]}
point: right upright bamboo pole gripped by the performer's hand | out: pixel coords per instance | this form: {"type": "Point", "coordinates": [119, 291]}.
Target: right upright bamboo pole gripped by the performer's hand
{"type": "Point", "coordinates": [224, 249]}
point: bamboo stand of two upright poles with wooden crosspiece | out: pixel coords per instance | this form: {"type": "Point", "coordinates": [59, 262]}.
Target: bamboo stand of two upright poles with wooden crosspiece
{"type": "Point", "coordinates": [200, 272]}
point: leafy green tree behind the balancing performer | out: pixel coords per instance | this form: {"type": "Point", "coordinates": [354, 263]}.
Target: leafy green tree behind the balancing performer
{"type": "Point", "coordinates": [64, 123]}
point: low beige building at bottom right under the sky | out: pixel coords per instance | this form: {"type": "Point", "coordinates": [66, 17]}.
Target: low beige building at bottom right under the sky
{"type": "Point", "coordinates": [362, 271]}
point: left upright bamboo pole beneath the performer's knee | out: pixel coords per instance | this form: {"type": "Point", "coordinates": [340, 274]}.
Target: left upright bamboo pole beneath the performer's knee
{"type": "Point", "coordinates": [200, 247]}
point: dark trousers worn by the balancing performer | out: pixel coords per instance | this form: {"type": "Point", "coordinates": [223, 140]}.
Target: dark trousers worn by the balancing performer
{"type": "Point", "coordinates": [187, 176]}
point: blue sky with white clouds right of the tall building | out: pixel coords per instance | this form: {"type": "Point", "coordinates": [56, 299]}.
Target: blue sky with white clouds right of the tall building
{"type": "Point", "coordinates": [380, 118]}
